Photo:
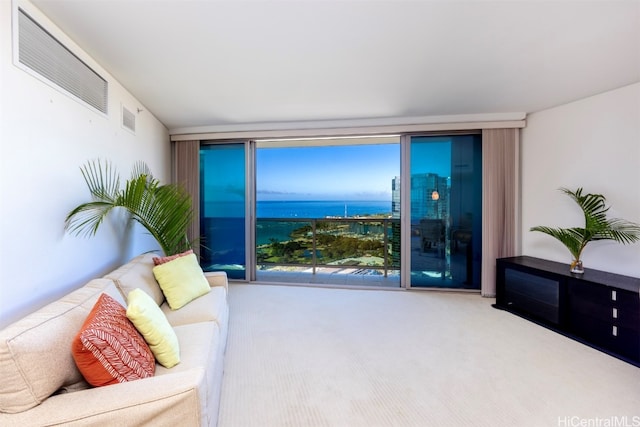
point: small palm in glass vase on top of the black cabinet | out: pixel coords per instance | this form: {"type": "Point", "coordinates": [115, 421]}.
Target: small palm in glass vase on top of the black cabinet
{"type": "Point", "coordinates": [597, 227]}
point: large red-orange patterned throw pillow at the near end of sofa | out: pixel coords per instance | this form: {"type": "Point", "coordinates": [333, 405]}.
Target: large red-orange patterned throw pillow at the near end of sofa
{"type": "Point", "coordinates": [108, 349]}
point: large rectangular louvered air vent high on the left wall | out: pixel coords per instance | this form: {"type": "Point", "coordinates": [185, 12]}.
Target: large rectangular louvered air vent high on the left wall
{"type": "Point", "coordinates": [44, 54]}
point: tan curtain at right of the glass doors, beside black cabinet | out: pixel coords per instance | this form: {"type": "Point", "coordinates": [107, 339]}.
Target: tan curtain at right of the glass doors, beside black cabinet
{"type": "Point", "coordinates": [499, 201]}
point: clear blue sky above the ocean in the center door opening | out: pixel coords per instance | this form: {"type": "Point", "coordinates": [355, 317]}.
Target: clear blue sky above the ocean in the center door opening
{"type": "Point", "coordinates": [355, 172]}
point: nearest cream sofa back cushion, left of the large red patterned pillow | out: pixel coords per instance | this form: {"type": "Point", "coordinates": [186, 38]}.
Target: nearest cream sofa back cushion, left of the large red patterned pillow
{"type": "Point", "coordinates": [35, 356]}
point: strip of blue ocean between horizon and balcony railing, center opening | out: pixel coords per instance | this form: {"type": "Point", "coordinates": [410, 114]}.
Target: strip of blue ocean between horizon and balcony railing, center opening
{"type": "Point", "coordinates": [320, 209]}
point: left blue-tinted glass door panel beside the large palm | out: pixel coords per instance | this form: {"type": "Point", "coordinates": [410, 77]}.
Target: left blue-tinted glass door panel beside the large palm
{"type": "Point", "coordinates": [222, 209]}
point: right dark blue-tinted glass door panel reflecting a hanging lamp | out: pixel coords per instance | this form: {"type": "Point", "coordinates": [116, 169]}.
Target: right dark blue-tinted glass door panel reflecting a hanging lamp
{"type": "Point", "coordinates": [446, 211]}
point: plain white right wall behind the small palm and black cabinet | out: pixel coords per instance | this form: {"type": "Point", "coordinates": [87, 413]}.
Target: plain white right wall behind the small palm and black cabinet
{"type": "Point", "coordinates": [593, 143]}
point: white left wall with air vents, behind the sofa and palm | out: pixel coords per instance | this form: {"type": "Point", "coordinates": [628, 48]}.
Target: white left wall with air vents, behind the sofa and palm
{"type": "Point", "coordinates": [45, 137]}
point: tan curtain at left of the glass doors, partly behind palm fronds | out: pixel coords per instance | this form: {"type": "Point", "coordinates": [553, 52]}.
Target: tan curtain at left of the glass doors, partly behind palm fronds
{"type": "Point", "coordinates": [186, 171]}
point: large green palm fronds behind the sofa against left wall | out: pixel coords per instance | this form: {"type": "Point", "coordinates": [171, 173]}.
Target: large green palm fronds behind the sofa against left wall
{"type": "Point", "coordinates": [165, 211]}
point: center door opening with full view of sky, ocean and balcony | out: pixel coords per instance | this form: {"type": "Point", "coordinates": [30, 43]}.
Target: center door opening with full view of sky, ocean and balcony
{"type": "Point", "coordinates": [325, 207]}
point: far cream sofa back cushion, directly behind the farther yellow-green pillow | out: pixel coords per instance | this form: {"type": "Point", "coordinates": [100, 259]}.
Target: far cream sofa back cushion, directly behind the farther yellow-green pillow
{"type": "Point", "coordinates": [138, 273]}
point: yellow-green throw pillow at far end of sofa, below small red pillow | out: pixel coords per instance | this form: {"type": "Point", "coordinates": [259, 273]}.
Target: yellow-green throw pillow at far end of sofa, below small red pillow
{"type": "Point", "coordinates": [181, 280]}
